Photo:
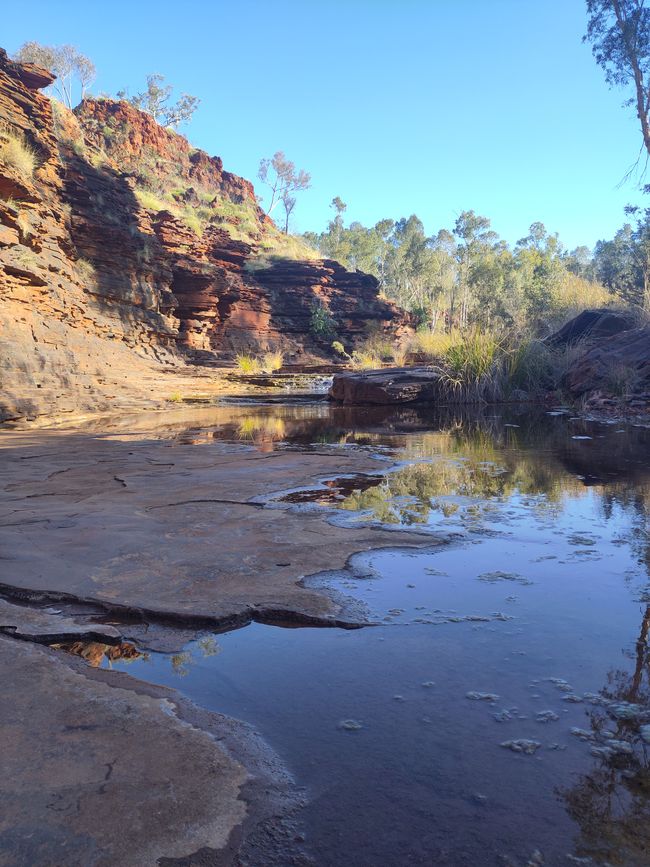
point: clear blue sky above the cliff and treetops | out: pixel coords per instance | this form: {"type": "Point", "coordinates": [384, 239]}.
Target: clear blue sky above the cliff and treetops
{"type": "Point", "coordinates": [398, 106]}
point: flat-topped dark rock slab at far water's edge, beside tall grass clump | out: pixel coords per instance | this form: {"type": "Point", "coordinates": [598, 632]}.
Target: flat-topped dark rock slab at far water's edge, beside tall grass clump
{"type": "Point", "coordinates": [386, 386]}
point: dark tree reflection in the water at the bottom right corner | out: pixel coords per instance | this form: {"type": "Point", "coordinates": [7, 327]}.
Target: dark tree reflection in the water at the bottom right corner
{"type": "Point", "coordinates": [611, 804]}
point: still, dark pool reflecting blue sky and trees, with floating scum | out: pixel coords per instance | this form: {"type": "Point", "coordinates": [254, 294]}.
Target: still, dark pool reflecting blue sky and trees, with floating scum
{"type": "Point", "coordinates": [498, 710]}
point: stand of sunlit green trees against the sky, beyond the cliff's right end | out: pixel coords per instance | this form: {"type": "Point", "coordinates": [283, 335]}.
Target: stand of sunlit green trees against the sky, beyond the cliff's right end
{"type": "Point", "coordinates": [468, 277]}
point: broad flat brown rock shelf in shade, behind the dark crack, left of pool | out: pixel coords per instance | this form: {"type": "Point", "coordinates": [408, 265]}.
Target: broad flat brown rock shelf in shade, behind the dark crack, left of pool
{"type": "Point", "coordinates": [174, 532]}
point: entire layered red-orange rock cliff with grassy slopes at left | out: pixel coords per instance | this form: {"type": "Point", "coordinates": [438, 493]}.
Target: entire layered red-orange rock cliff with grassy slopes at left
{"type": "Point", "coordinates": [125, 253]}
